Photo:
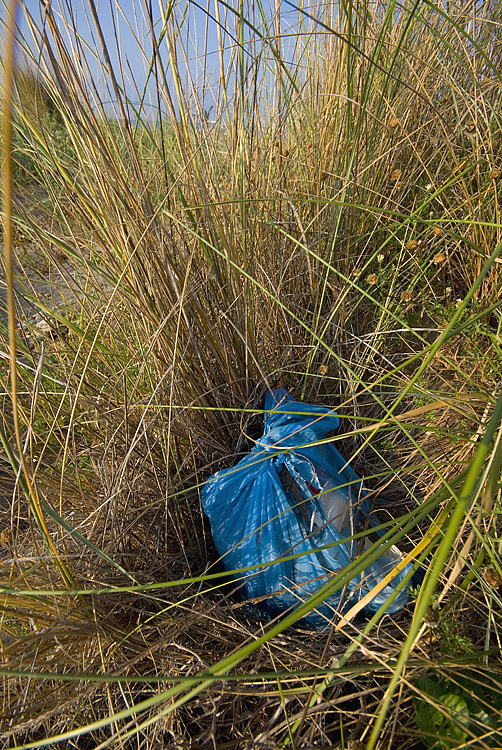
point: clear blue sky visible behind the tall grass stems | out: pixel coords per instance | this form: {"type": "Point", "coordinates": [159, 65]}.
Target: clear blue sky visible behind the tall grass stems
{"type": "Point", "coordinates": [127, 33]}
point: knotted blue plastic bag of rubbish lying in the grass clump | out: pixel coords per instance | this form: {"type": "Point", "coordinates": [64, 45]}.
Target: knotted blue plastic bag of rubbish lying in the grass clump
{"type": "Point", "coordinates": [287, 497]}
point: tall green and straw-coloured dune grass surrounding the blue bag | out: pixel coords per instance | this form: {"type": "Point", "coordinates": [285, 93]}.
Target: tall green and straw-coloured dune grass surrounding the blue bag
{"type": "Point", "coordinates": [330, 225]}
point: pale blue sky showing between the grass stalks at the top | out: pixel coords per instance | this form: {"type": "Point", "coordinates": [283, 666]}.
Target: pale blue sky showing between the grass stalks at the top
{"type": "Point", "coordinates": [127, 33]}
